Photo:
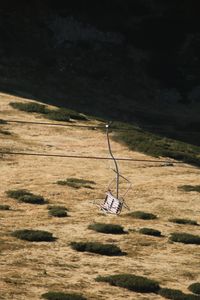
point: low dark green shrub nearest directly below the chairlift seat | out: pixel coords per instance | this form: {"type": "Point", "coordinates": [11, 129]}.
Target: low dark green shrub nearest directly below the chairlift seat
{"type": "Point", "coordinates": [107, 228]}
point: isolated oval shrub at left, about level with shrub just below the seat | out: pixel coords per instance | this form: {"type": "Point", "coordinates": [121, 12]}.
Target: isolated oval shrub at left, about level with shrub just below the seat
{"type": "Point", "coordinates": [33, 235]}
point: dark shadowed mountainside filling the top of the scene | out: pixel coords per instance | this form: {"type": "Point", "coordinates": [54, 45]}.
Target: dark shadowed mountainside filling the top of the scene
{"type": "Point", "coordinates": [131, 61]}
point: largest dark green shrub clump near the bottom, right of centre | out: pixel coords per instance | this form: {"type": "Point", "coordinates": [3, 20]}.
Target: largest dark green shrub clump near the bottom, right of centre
{"type": "Point", "coordinates": [131, 282]}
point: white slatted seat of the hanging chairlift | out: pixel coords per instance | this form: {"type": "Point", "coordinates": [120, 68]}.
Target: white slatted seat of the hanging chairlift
{"type": "Point", "coordinates": [111, 204]}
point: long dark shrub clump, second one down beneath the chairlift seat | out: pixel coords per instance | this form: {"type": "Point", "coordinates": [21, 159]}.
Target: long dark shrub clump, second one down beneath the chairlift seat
{"type": "Point", "coordinates": [99, 248]}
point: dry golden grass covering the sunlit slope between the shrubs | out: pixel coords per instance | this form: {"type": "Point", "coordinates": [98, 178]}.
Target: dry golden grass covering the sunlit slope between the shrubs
{"type": "Point", "coordinates": [30, 269]}
